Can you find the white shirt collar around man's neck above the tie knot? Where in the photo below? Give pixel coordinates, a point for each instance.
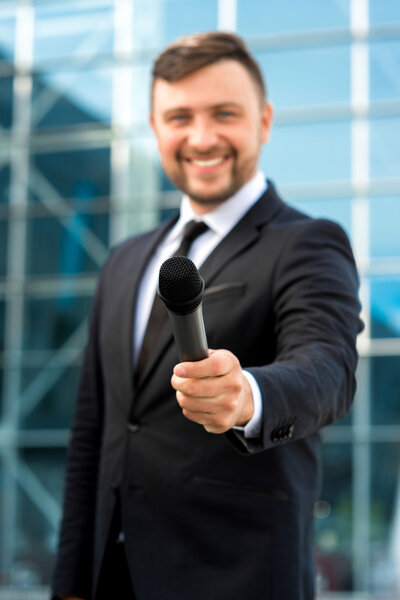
(226, 215)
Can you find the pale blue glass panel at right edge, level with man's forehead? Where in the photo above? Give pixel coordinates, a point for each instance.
(384, 69)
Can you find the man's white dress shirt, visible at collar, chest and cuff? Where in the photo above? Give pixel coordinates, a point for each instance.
(220, 222)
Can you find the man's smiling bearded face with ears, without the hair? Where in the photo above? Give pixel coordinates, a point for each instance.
(210, 127)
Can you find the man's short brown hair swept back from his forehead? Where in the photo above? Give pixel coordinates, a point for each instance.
(190, 53)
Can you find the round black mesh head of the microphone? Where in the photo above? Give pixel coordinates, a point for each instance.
(180, 285)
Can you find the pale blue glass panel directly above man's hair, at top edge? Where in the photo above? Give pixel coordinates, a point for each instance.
(158, 22)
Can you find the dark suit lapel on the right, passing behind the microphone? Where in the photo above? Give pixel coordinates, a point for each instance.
(242, 236)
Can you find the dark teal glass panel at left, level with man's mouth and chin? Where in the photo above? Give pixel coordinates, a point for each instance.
(80, 175)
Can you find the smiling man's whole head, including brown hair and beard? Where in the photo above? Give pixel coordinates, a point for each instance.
(210, 115)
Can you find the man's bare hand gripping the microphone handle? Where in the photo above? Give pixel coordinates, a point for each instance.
(214, 392)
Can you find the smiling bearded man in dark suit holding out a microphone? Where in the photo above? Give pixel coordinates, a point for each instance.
(197, 480)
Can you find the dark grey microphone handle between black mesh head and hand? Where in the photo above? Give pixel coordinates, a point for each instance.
(190, 335)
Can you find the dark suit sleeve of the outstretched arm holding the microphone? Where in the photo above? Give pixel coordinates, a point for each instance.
(311, 382)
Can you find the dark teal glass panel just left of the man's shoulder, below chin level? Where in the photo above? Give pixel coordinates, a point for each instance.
(72, 244)
